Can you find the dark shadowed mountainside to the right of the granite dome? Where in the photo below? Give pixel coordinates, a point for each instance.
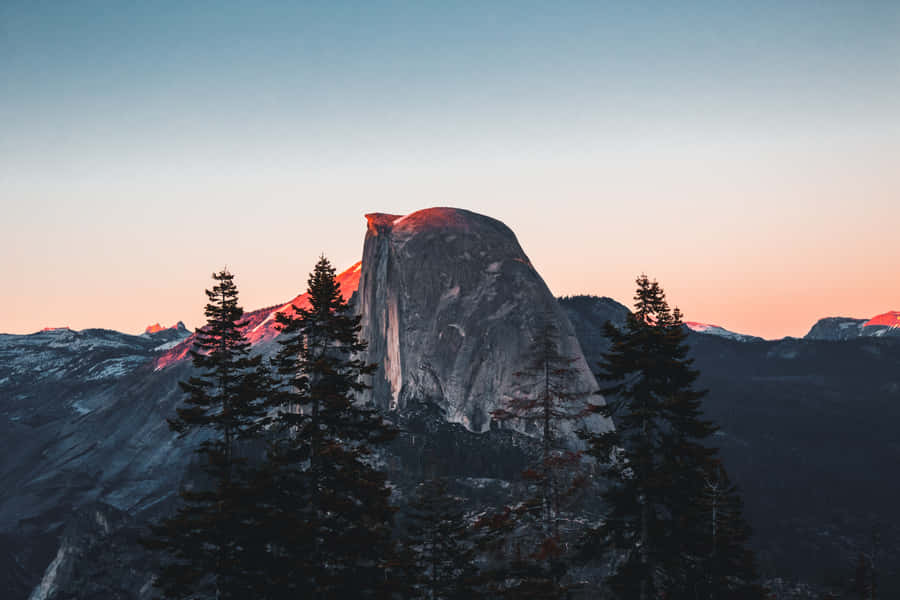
(807, 431)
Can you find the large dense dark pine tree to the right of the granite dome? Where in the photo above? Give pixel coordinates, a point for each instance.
(658, 464)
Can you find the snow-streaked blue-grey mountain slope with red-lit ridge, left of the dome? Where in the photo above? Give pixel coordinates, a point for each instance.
(83, 423)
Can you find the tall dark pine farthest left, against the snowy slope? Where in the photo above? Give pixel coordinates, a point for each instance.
(207, 541)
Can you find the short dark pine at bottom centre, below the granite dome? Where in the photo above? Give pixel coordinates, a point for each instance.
(439, 539)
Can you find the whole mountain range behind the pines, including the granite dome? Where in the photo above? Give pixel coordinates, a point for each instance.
(85, 420)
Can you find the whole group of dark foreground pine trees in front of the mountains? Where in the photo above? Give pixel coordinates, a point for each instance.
(295, 500)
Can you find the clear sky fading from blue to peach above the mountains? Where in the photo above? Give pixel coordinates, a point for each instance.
(745, 154)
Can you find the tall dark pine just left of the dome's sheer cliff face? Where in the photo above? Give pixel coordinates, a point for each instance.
(333, 517)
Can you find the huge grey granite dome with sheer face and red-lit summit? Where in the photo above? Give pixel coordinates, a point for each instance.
(450, 307)
